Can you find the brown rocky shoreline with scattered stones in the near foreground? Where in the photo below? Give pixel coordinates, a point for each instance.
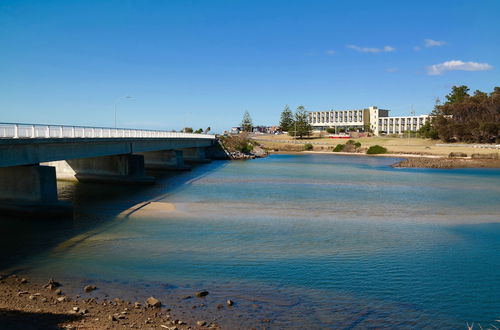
(30, 305)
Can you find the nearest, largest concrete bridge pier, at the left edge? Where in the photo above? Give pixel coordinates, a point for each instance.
(31, 189)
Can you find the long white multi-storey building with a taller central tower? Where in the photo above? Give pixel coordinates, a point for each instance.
(374, 119)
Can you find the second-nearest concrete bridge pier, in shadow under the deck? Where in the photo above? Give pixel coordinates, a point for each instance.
(119, 169)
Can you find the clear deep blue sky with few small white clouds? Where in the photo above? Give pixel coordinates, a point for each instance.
(203, 63)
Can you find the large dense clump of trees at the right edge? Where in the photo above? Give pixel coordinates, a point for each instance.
(465, 117)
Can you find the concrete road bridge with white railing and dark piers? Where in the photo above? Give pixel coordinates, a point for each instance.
(34, 156)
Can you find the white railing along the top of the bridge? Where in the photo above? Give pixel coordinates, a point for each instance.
(34, 131)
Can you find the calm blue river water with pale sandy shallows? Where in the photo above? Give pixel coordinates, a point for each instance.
(315, 241)
